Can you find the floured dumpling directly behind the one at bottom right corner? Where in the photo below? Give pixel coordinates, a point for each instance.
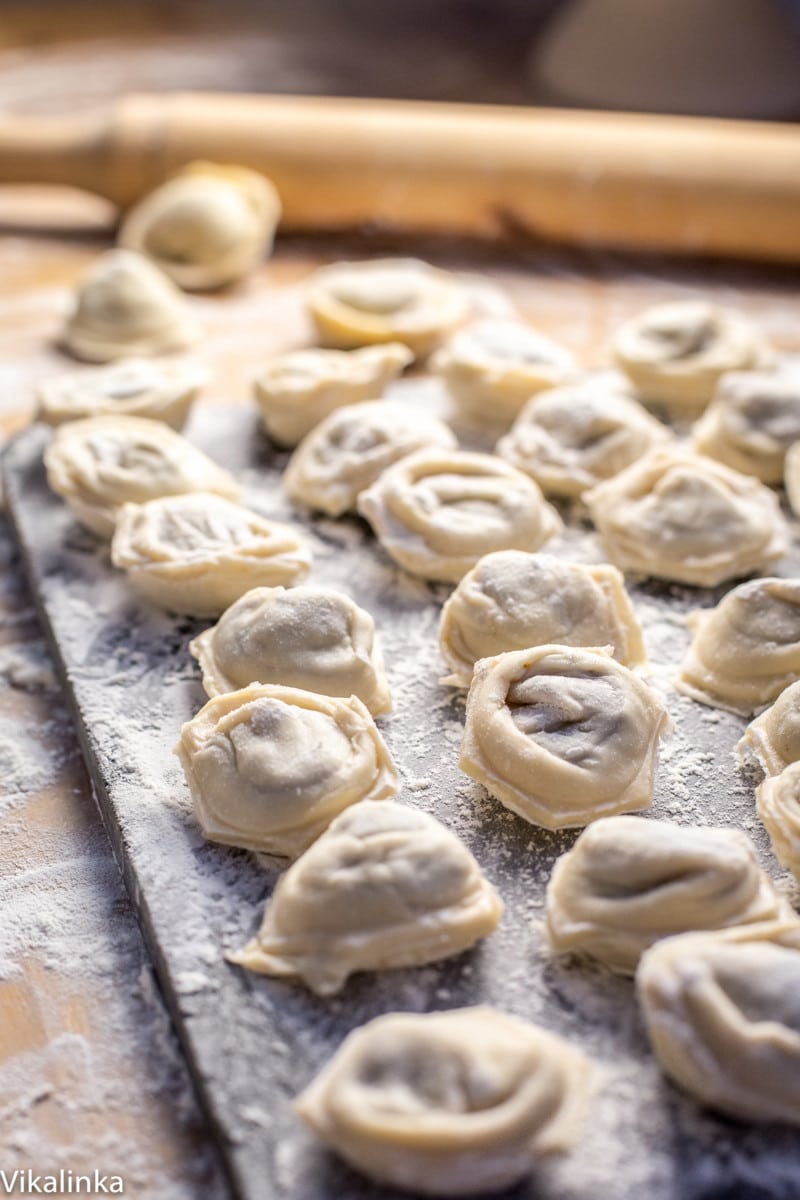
(630, 881)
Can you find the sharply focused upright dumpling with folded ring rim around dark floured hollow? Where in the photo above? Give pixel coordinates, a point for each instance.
(562, 736)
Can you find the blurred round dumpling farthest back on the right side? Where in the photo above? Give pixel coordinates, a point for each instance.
(676, 353)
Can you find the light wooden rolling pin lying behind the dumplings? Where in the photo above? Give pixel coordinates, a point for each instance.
(677, 185)
